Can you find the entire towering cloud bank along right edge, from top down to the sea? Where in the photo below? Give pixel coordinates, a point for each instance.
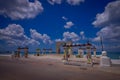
(109, 20)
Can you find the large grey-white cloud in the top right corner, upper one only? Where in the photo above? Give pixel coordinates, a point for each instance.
(111, 15)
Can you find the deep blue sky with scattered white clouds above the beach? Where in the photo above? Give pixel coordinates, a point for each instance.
(40, 23)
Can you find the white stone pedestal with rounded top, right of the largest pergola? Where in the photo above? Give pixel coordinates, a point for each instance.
(104, 60)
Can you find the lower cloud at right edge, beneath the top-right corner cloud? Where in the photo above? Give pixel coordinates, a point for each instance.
(109, 34)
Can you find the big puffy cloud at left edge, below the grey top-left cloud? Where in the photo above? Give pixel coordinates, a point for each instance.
(13, 34)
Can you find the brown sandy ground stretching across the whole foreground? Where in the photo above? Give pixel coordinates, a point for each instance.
(51, 67)
